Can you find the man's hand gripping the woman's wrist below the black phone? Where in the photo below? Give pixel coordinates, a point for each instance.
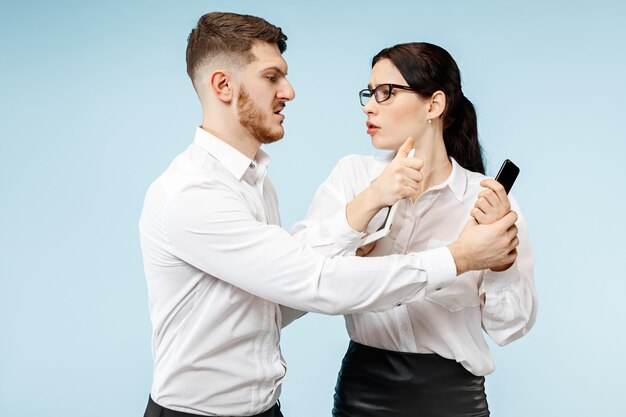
(486, 246)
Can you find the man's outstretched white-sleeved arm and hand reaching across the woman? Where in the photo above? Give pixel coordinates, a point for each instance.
(212, 228)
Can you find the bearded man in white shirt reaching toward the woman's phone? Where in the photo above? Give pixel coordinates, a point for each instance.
(217, 264)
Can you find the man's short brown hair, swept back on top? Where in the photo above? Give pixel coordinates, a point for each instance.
(229, 35)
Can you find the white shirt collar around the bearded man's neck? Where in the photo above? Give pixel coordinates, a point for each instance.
(233, 160)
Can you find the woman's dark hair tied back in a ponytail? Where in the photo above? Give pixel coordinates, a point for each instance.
(429, 68)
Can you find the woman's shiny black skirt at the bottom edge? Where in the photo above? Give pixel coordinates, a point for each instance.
(375, 382)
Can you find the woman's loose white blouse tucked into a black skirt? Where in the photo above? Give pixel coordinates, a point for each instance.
(448, 322)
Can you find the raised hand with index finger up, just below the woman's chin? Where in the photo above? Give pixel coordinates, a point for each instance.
(400, 179)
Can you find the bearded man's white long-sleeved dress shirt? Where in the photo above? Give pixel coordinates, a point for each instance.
(218, 265)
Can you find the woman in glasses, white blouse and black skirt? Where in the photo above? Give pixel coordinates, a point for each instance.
(427, 358)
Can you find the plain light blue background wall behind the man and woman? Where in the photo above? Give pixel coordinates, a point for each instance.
(95, 102)
